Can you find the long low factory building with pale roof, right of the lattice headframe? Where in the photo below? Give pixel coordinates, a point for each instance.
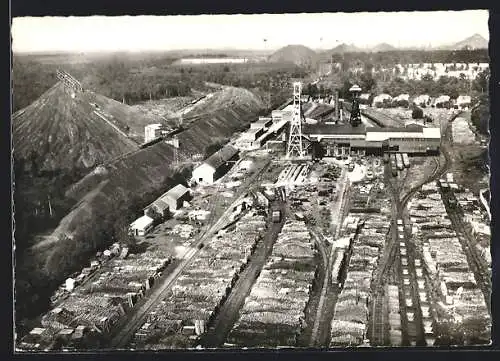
(339, 140)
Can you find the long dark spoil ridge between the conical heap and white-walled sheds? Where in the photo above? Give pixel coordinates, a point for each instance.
(147, 170)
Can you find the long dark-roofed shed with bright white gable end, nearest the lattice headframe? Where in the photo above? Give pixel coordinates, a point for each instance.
(216, 165)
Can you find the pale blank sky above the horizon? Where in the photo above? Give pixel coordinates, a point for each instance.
(317, 31)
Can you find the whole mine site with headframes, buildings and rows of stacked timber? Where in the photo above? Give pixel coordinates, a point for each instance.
(297, 233)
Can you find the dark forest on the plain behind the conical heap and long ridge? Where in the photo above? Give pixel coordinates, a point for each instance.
(133, 80)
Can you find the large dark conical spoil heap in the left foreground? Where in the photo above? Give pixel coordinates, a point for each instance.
(66, 132)
